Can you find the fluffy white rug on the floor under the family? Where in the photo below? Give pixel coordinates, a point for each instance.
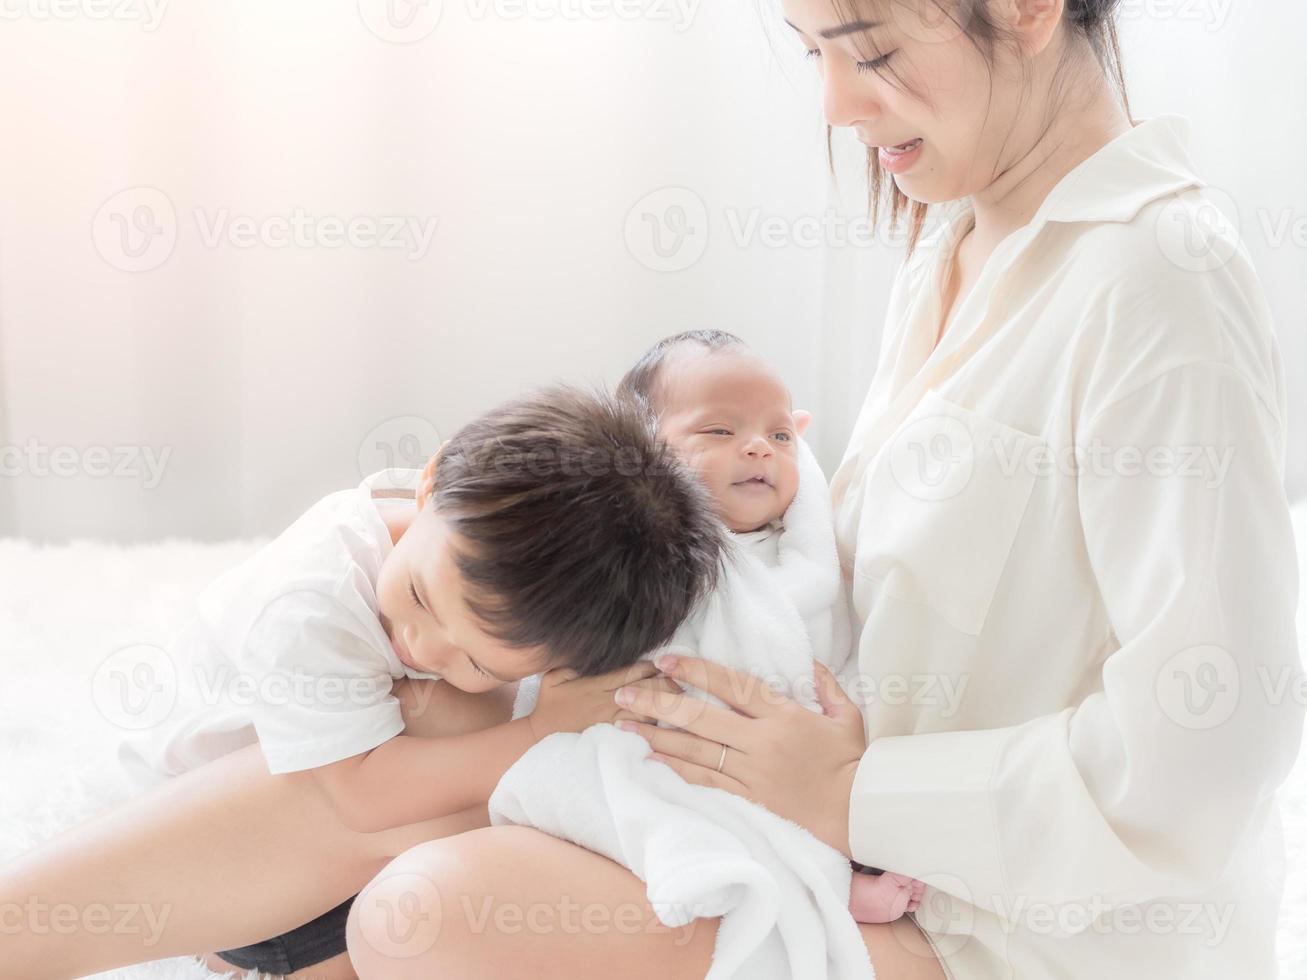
(65, 610)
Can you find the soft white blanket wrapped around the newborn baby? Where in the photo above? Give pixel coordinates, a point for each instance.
(782, 894)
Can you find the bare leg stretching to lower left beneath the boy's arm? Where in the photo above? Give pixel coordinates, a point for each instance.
(216, 859)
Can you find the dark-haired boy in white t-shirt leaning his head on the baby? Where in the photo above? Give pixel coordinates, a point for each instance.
(554, 534)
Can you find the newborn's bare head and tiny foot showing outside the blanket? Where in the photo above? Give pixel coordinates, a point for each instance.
(730, 416)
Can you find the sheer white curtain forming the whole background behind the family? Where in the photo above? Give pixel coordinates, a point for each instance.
(252, 252)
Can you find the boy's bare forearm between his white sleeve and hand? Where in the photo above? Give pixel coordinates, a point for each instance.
(408, 779)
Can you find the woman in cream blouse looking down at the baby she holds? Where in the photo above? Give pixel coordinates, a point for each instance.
(1068, 546)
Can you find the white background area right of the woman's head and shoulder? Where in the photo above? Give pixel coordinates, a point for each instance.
(1237, 70)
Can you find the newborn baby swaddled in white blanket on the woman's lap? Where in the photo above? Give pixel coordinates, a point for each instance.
(778, 606)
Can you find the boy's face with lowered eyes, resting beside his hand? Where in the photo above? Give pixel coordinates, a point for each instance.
(437, 633)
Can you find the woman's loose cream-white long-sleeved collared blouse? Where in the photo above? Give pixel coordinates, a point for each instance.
(1072, 568)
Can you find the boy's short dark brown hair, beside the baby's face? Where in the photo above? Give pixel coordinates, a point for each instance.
(578, 530)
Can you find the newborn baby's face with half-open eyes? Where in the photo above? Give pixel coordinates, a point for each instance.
(729, 416)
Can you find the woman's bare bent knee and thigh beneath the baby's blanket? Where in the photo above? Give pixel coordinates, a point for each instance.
(513, 902)
